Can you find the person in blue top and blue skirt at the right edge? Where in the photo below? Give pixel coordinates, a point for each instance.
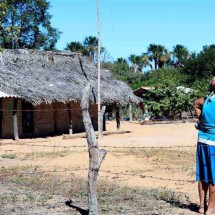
(205, 155)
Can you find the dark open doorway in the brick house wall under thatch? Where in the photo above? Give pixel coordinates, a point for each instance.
(27, 119)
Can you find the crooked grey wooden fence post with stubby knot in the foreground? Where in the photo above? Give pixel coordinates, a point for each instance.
(96, 155)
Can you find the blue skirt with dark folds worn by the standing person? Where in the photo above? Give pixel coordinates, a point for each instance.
(205, 163)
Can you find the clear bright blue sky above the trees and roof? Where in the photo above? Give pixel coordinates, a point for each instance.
(129, 26)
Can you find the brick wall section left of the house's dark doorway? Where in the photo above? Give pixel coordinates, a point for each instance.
(7, 117)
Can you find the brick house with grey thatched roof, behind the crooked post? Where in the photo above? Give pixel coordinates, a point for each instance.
(40, 92)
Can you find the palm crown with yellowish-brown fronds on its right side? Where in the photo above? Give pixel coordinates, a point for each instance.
(159, 54)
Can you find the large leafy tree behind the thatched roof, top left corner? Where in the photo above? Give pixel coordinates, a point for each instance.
(26, 24)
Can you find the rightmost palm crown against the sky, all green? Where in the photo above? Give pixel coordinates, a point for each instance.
(180, 54)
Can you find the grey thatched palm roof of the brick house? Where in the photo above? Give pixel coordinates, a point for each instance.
(39, 76)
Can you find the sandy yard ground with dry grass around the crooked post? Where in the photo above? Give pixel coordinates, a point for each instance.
(42, 191)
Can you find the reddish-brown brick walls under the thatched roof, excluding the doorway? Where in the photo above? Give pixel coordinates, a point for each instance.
(49, 119)
